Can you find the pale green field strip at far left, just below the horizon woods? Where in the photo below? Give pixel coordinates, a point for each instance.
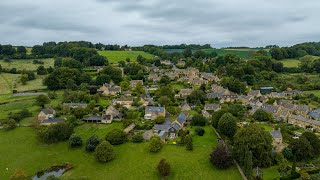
(26, 64)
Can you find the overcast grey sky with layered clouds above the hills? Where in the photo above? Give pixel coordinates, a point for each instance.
(221, 23)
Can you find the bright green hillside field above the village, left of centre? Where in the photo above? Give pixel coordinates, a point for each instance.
(116, 56)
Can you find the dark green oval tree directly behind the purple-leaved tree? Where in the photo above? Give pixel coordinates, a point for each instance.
(228, 125)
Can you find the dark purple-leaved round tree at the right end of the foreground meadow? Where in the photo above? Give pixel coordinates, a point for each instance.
(221, 157)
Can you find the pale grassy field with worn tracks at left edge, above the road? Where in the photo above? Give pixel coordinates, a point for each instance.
(8, 82)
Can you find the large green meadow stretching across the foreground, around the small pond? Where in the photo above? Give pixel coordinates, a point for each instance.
(20, 150)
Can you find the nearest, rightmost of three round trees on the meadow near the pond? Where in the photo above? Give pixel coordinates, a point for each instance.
(104, 152)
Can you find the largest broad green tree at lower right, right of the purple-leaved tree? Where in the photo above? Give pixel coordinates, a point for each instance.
(257, 140)
